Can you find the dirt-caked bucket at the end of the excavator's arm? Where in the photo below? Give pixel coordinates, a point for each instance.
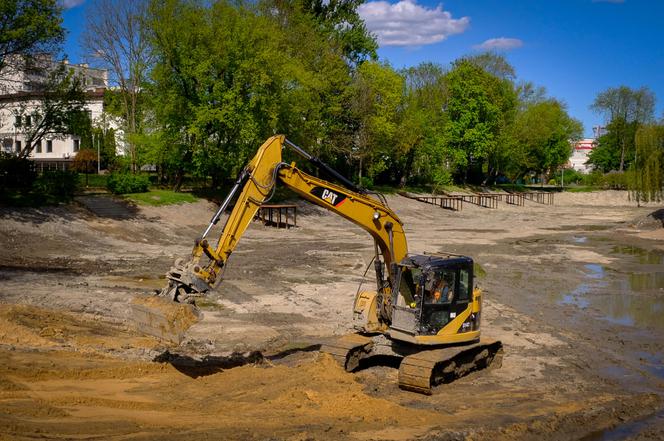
(163, 318)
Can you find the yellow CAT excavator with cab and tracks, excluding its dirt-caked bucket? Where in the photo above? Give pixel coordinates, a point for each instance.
(425, 312)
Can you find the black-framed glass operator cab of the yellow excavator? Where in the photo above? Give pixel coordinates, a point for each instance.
(436, 303)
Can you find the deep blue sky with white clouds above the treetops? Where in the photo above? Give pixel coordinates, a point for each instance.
(574, 48)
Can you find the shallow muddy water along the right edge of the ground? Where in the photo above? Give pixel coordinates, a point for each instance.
(629, 291)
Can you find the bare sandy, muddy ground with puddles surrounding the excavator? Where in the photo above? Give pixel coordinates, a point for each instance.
(573, 290)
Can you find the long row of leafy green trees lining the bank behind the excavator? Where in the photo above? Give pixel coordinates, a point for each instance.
(227, 75)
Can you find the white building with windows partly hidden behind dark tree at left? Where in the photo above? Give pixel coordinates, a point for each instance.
(21, 88)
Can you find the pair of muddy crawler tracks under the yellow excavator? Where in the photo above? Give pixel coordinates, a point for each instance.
(420, 369)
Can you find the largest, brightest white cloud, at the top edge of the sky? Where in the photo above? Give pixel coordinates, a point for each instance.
(408, 24)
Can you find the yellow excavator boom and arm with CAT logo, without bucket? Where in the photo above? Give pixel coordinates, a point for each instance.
(257, 182)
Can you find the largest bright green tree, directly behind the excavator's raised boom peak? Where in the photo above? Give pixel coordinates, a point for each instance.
(219, 89)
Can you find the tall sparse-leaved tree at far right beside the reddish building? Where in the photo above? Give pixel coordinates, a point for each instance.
(625, 109)
